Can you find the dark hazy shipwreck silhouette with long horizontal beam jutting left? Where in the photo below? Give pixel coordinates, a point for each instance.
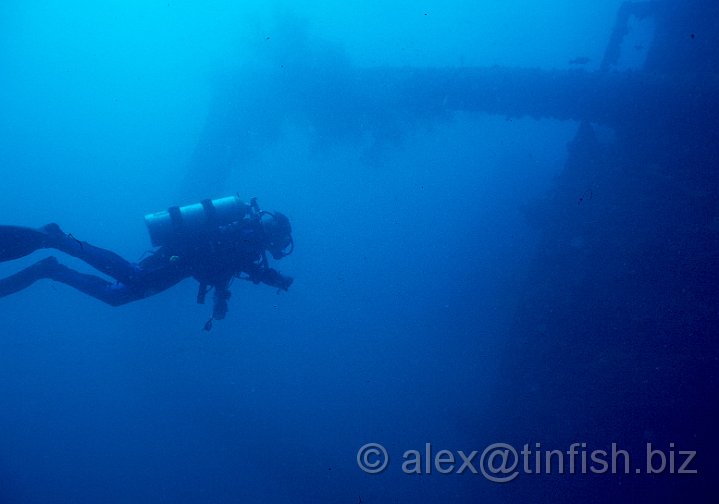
(615, 338)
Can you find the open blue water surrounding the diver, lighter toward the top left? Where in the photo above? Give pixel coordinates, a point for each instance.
(413, 245)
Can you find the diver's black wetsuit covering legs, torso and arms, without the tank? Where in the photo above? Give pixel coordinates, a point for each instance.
(213, 258)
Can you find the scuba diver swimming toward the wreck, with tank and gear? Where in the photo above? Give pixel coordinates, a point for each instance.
(213, 241)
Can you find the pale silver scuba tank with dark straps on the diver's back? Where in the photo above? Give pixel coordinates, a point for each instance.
(191, 221)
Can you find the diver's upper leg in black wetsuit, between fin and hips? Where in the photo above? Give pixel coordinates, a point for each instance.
(103, 260)
